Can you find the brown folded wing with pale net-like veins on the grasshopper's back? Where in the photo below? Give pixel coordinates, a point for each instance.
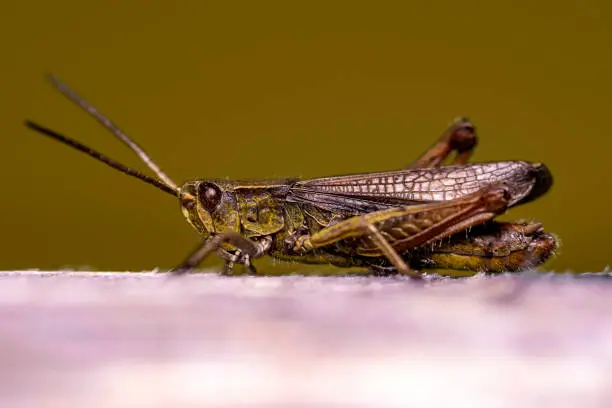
(363, 193)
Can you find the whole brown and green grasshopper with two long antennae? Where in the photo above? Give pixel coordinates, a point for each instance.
(429, 215)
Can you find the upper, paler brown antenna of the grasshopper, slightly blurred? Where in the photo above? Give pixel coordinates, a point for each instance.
(108, 124)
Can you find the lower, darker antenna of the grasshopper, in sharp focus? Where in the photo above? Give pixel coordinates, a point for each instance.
(104, 159)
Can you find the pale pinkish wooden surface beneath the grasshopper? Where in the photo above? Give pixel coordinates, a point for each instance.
(143, 340)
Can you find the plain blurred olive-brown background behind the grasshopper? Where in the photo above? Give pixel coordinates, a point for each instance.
(273, 89)
